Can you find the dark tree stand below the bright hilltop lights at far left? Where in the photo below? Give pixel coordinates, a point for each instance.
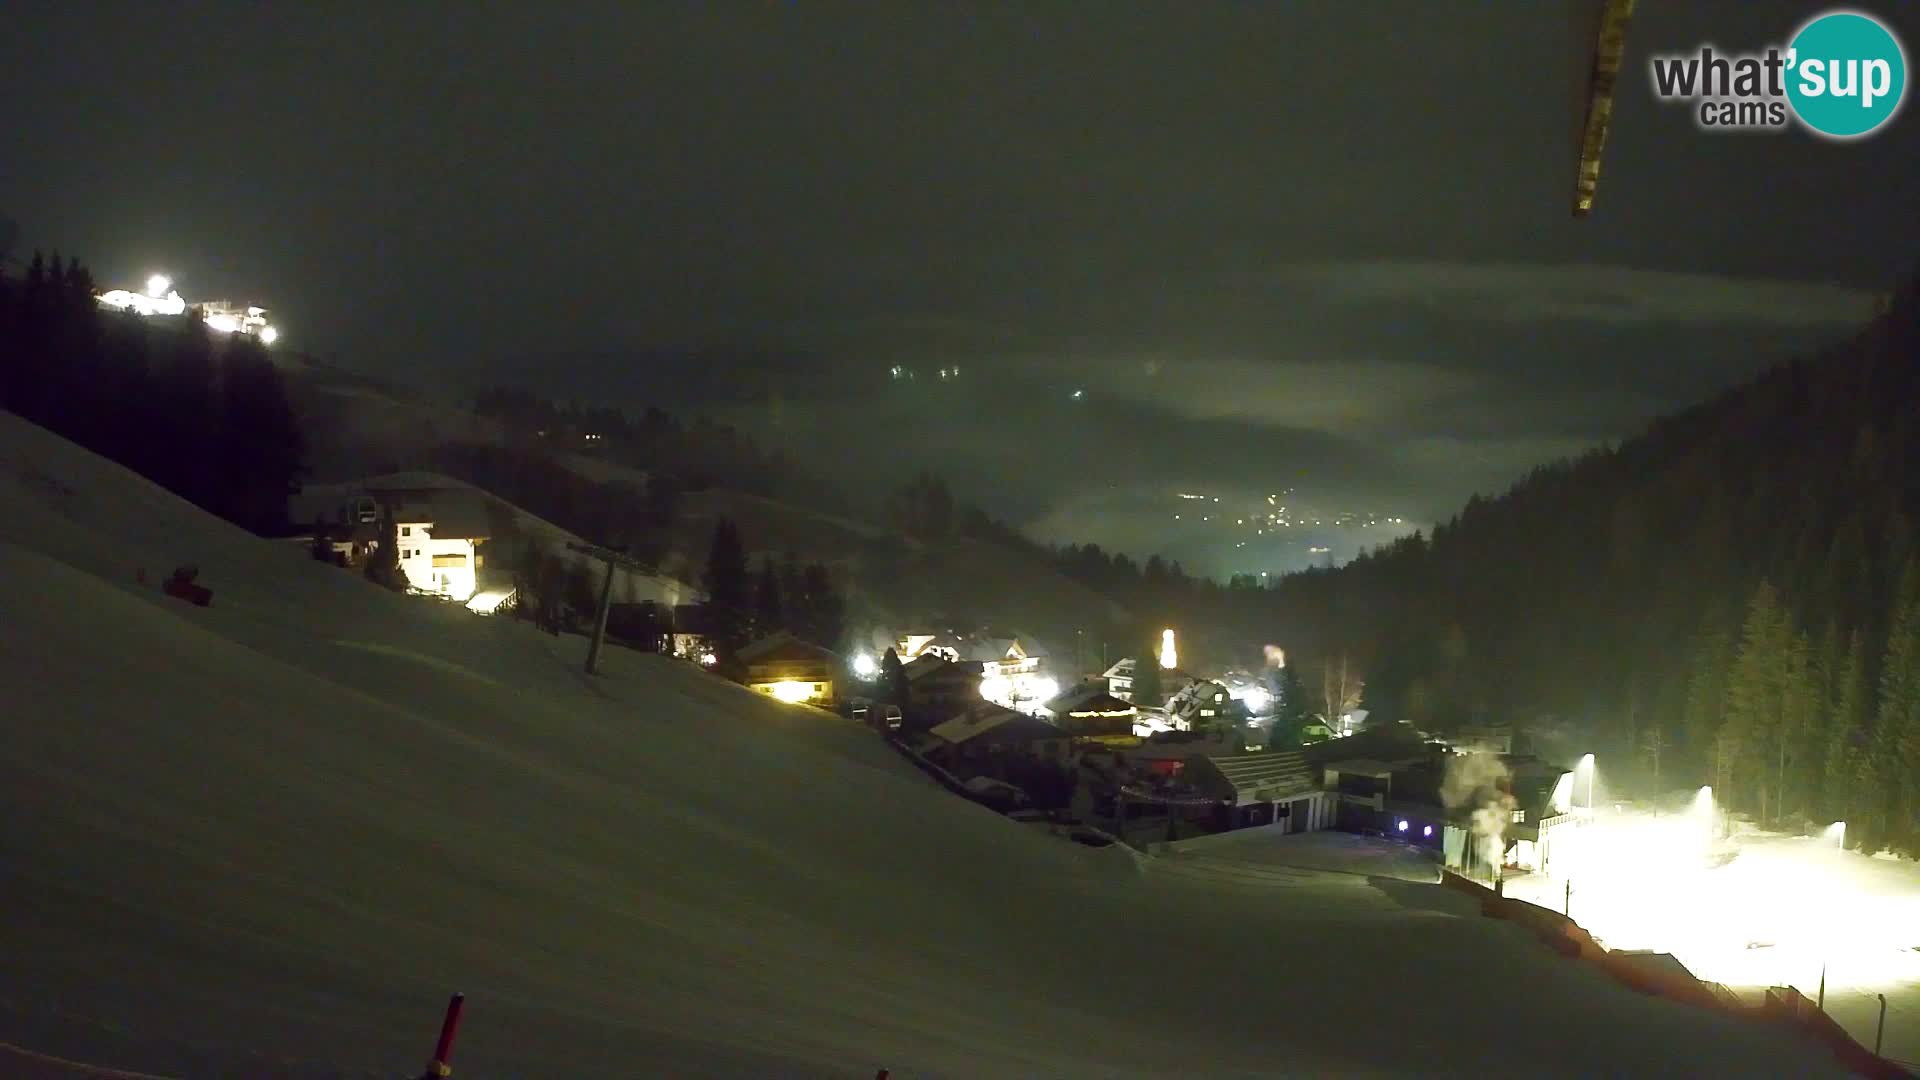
(204, 416)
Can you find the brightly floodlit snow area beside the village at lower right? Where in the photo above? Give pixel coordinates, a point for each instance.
(1746, 908)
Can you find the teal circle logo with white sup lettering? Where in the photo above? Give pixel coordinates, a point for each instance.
(1846, 74)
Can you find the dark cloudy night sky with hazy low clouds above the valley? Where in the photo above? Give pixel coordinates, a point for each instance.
(1318, 247)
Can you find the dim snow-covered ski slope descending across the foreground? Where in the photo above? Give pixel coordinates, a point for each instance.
(270, 837)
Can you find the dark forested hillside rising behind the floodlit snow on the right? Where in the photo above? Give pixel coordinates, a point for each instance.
(1727, 599)
